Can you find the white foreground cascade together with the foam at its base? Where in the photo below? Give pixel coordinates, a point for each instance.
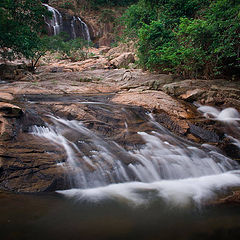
(165, 166)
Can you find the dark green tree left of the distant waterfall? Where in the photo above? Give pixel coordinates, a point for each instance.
(21, 25)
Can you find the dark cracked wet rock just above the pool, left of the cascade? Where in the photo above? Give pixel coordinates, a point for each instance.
(28, 165)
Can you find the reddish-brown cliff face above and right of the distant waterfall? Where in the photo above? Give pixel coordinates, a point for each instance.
(102, 22)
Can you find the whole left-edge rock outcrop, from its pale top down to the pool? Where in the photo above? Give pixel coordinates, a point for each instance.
(26, 164)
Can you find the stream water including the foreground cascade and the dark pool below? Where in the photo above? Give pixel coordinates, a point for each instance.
(128, 178)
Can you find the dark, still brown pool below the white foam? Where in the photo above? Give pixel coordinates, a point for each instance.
(53, 216)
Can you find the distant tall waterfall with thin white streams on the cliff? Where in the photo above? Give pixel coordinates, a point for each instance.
(72, 25)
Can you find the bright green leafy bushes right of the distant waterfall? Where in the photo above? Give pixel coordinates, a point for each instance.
(189, 37)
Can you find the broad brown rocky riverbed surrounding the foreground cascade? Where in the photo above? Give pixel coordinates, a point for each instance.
(28, 164)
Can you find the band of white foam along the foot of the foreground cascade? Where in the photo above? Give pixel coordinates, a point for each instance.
(177, 192)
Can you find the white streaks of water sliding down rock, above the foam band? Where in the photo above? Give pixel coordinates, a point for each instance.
(161, 157)
